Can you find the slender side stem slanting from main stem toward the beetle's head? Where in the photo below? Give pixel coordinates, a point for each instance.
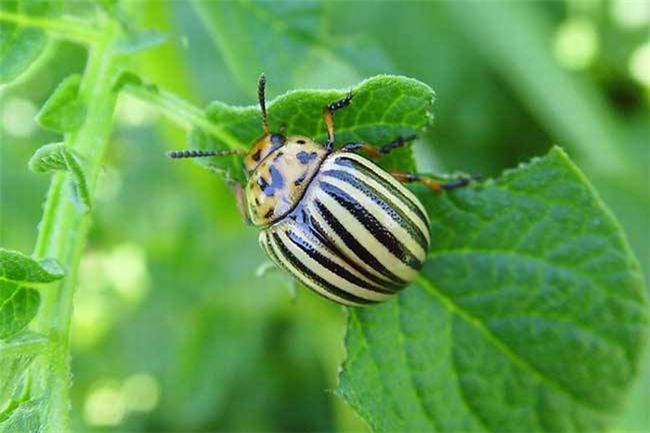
(182, 112)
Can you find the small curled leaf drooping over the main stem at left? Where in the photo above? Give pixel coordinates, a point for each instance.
(57, 156)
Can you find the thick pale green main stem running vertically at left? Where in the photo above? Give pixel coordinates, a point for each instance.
(64, 228)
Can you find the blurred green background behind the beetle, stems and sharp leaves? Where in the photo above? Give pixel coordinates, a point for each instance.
(173, 328)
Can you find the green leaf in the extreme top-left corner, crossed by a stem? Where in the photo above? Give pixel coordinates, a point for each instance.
(21, 46)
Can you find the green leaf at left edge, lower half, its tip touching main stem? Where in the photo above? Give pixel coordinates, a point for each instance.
(18, 299)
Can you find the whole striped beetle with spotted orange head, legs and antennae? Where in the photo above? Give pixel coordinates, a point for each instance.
(340, 224)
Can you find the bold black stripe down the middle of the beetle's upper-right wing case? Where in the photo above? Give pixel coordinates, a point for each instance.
(371, 224)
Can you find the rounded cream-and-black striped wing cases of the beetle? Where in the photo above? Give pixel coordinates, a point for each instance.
(357, 237)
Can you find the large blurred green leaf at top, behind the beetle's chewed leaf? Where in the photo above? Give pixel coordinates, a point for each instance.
(297, 42)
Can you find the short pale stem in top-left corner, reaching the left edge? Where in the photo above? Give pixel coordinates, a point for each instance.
(63, 27)
